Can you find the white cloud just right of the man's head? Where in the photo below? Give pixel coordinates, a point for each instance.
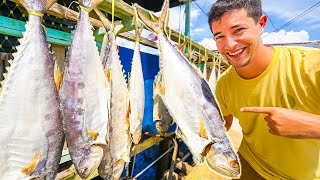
(285, 37)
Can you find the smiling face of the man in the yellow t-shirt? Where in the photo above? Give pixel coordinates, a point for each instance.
(237, 37)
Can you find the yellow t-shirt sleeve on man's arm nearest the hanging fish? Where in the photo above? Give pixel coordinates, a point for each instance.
(220, 96)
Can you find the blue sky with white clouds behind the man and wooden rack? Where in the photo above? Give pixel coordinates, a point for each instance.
(301, 17)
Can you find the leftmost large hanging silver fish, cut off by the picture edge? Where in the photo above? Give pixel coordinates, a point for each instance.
(30, 120)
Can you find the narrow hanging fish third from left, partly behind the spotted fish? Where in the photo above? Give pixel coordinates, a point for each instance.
(119, 145)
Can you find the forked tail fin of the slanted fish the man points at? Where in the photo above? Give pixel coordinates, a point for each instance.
(154, 26)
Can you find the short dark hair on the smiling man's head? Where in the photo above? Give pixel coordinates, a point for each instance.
(219, 8)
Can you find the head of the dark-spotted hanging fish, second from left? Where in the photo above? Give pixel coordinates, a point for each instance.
(92, 157)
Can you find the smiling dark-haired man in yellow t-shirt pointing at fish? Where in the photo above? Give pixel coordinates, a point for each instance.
(273, 91)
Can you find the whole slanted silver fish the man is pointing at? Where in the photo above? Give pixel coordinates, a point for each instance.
(193, 107)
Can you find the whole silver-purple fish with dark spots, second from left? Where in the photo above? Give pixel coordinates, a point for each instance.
(83, 97)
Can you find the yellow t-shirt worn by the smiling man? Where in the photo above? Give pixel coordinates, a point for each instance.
(292, 80)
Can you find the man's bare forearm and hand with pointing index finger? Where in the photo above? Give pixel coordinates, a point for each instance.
(289, 123)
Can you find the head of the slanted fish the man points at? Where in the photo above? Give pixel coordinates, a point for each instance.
(223, 160)
